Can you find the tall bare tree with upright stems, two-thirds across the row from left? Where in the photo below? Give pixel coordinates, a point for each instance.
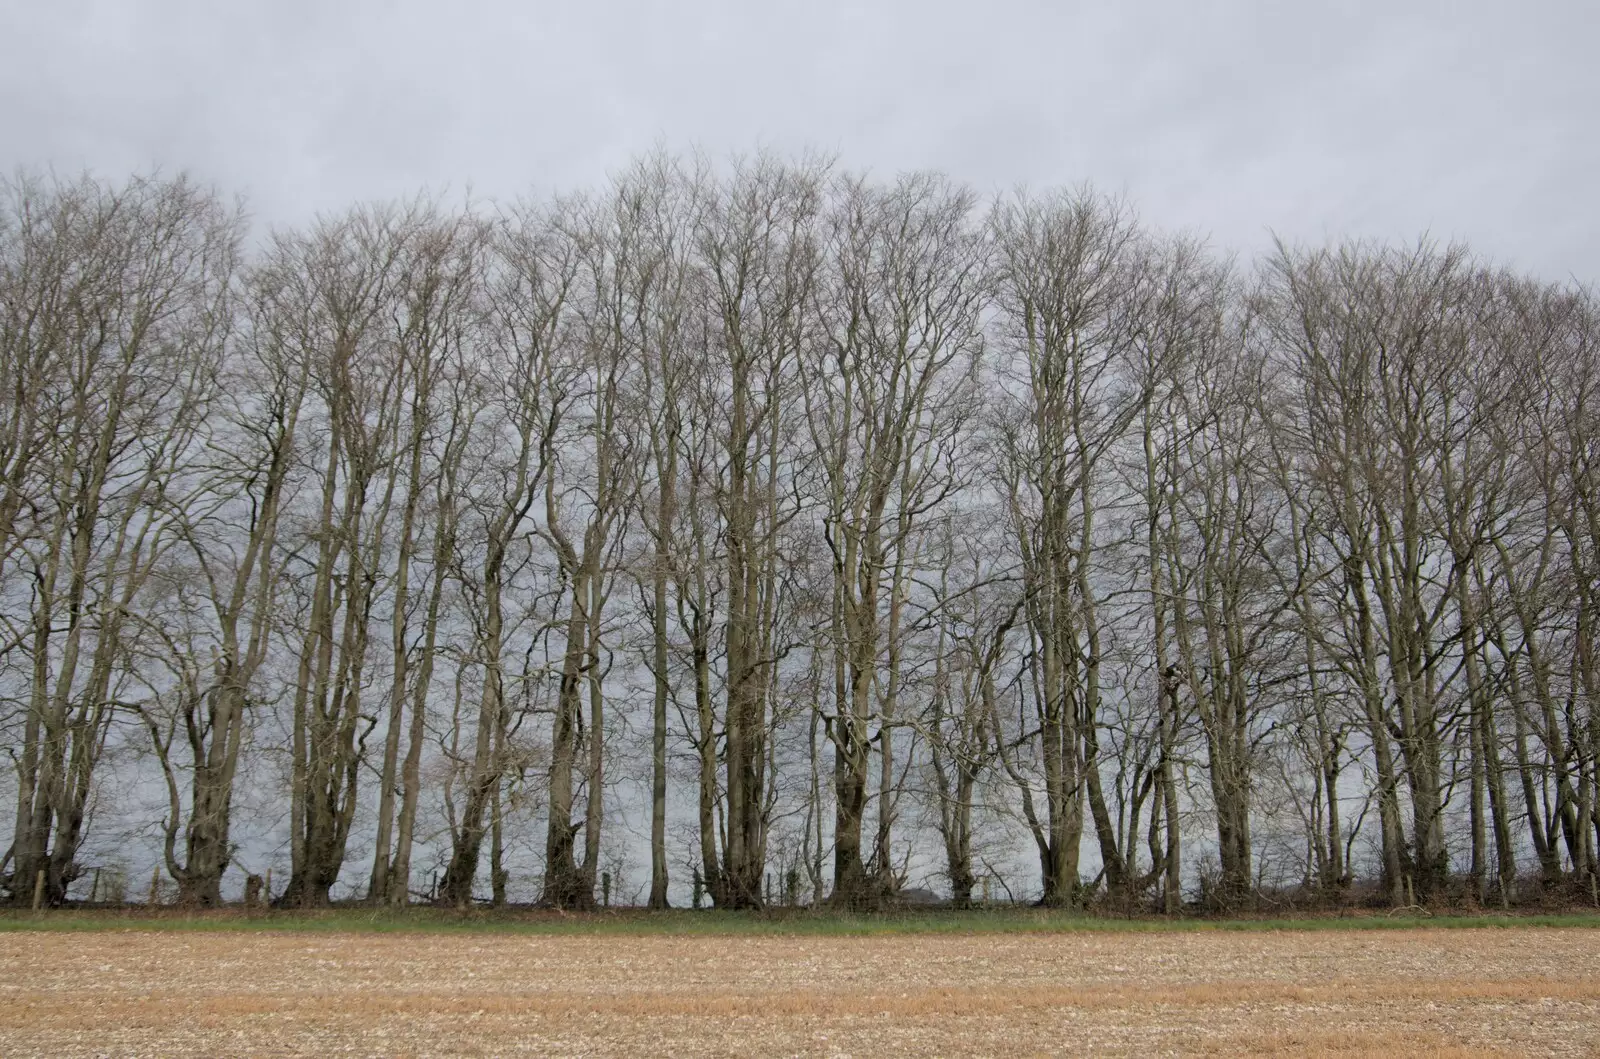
(1063, 406)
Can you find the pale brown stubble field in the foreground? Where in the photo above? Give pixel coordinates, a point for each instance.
(1460, 993)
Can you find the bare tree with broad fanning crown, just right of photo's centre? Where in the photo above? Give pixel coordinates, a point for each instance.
(889, 394)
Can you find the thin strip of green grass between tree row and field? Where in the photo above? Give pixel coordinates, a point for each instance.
(737, 924)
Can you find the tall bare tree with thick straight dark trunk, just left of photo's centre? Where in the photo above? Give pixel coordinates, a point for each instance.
(759, 249)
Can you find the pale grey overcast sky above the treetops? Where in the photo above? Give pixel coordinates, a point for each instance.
(1468, 119)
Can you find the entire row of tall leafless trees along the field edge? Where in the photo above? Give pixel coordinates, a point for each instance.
(847, 521)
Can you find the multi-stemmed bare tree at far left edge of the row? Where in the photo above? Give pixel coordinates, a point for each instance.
(121, 354)
